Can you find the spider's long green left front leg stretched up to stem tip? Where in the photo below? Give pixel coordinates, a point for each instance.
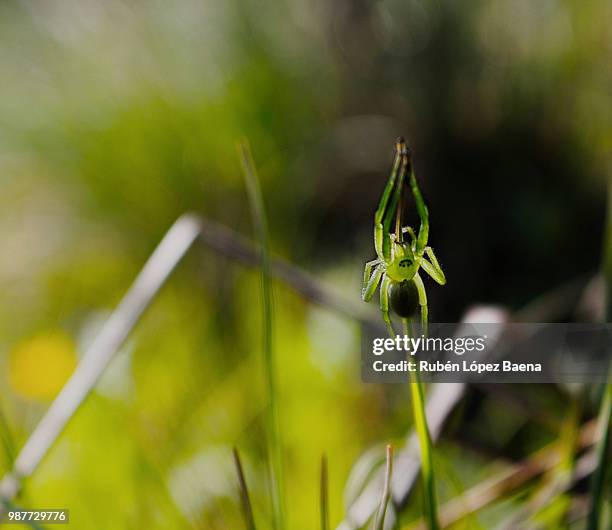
(389, 200)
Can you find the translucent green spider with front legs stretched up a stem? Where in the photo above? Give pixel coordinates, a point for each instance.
(398, 261)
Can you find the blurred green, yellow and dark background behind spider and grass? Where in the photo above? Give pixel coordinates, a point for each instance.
(117, 117)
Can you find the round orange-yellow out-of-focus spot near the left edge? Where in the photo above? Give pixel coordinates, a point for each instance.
(39, 366)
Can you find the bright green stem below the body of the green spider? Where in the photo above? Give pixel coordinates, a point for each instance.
(420, 422)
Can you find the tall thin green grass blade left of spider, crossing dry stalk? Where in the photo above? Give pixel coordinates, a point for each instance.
(272, 421)
